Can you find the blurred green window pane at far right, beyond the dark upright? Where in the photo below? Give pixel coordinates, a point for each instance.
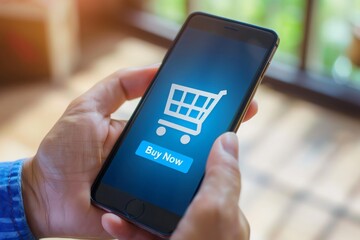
(335, 41)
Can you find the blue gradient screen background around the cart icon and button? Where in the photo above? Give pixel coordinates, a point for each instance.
(201, 60)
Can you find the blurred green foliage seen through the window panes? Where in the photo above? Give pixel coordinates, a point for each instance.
(331, 28)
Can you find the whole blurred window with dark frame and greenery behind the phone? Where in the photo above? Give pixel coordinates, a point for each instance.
(318, 38)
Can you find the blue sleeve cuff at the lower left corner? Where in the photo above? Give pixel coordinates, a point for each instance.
(13, 224)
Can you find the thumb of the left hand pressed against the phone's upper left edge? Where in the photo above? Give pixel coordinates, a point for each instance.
(120, 86)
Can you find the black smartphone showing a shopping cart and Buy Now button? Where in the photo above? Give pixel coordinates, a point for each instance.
(201, 90)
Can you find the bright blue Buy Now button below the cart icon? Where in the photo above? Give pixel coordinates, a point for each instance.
(164, 156)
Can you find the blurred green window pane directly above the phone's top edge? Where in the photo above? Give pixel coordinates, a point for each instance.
(284, 16)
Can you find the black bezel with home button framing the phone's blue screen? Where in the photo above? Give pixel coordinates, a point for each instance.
(165, 223)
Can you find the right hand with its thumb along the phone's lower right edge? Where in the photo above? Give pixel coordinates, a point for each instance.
(209, 217)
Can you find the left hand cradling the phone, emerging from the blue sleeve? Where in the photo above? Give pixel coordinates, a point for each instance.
(56, 181)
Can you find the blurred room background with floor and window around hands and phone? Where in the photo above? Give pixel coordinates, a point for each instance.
(300, 156)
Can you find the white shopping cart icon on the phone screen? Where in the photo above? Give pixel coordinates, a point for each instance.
(186, 109)
